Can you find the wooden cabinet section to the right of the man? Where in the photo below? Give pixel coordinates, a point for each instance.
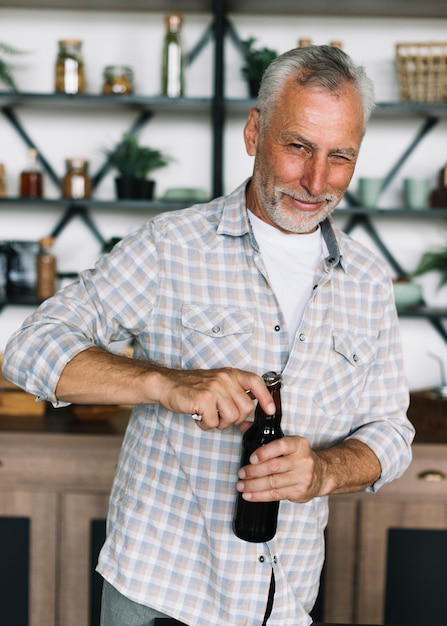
(359, 535)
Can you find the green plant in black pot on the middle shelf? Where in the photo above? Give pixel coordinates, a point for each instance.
(134, 163)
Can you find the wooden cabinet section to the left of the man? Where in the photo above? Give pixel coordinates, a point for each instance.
(56, 473)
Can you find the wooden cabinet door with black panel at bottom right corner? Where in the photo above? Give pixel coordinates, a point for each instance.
(376, 519)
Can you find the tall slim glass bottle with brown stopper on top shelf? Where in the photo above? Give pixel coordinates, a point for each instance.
(172, 79)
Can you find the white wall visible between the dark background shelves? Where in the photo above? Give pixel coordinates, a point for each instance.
(136, 39)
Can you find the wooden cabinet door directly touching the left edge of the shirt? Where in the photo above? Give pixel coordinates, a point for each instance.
(79, 514)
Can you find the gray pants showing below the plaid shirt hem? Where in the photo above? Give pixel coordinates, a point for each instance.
(117, 610)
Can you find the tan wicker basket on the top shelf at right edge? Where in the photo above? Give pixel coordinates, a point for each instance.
(422, 71)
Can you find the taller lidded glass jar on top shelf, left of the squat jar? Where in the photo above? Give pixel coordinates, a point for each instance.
(70, 70)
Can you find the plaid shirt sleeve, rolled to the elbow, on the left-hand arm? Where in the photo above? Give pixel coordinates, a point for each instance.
(107, 304)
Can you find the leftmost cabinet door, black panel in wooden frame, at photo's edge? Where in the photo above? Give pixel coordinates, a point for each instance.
(31, 516)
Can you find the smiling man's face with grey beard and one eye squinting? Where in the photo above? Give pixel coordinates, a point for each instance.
(306, 157)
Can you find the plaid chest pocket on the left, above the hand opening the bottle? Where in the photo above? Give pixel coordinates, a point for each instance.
(216, 337)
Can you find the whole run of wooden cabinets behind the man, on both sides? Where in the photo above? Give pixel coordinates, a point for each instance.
(57, 472)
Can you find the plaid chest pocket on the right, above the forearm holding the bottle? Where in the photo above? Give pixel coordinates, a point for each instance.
(349, 362)
